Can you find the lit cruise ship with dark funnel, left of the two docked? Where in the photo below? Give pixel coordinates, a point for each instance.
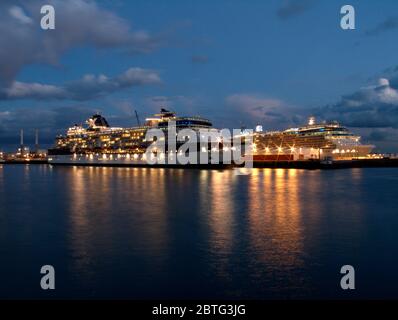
(98, 143)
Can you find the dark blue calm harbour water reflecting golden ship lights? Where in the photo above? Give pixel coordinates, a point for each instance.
(171, 233)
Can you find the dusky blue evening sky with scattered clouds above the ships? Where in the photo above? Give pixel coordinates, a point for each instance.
(236, 62)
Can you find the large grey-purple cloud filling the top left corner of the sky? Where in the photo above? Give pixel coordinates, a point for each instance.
(78, 23)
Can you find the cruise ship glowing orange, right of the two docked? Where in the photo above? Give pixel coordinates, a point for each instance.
(314, 141)
